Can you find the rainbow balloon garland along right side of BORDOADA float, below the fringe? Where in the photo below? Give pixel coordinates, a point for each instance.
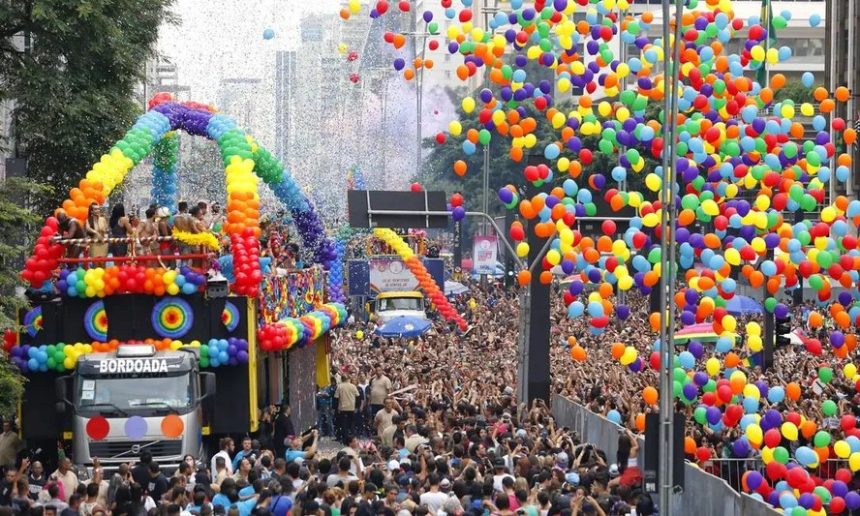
(289, 332)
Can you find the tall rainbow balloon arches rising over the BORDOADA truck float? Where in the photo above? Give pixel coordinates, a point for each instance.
(245, 161)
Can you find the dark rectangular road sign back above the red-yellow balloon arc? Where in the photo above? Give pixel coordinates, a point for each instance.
(367, 209)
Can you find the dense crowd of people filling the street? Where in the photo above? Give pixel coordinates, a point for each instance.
(432, 426)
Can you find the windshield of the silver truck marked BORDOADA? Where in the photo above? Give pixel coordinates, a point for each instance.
(135, 395)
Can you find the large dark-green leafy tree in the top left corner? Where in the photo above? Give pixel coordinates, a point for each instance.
(72, 86)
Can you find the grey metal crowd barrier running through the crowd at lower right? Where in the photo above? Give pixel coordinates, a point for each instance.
(703, 495)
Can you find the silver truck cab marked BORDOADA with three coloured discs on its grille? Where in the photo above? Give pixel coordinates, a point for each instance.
(138, 399)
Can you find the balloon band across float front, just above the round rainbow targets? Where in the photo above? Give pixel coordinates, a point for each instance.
(129, 279)
